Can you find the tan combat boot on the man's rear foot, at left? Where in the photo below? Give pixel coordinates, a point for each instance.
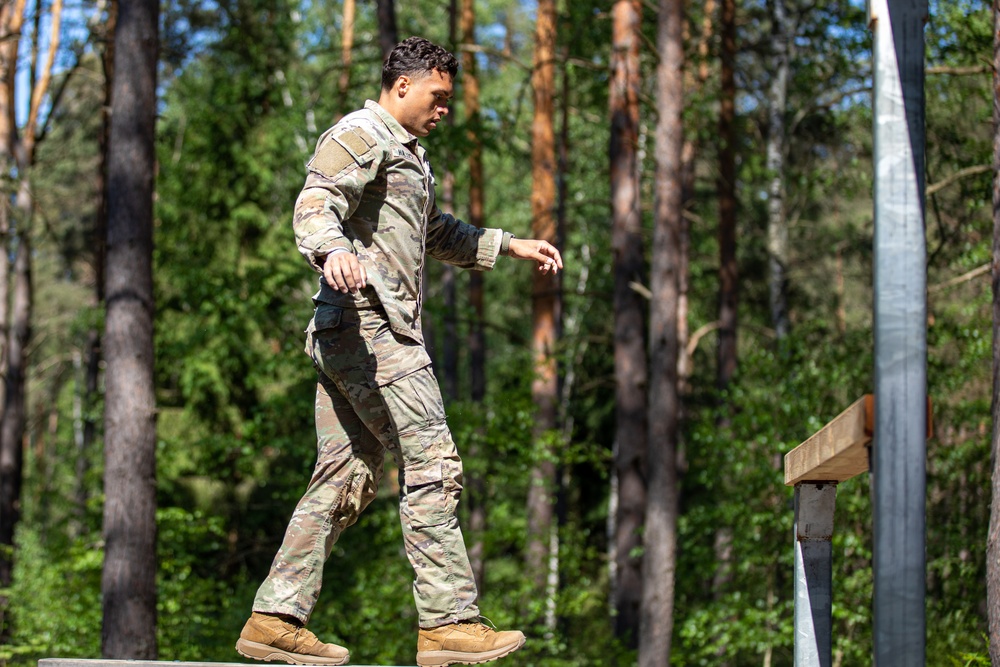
(269, 638)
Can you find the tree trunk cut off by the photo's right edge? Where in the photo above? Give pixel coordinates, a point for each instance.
(993, 535)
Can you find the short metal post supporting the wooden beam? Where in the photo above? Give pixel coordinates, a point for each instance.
(814, 506)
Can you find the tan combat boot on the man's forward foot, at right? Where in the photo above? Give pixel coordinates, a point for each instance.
(468, 643)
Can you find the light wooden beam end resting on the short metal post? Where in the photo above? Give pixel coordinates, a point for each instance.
(836, 452)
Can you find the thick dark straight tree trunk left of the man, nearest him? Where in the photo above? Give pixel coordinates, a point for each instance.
(128, 585)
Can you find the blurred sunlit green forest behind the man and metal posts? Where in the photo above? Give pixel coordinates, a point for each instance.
(775, 320)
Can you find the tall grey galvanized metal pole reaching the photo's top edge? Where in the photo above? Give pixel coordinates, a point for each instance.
(898, 460)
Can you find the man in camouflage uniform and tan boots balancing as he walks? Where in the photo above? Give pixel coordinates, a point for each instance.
(365, 221)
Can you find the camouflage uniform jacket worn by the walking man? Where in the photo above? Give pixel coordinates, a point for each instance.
(370, 190)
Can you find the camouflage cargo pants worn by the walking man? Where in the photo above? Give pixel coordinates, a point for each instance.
(376, 393)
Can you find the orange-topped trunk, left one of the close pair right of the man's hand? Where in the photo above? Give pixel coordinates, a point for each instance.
(630, 350)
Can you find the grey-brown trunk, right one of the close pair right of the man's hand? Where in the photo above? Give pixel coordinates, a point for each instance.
(660, 536)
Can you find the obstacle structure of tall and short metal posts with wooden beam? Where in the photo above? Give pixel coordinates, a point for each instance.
(898, 429)
